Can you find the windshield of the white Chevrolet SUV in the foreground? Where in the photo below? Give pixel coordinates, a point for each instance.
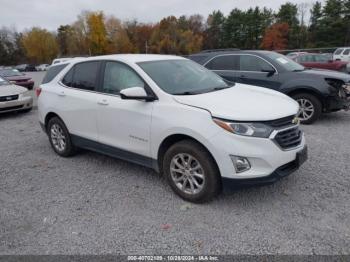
(182, 77)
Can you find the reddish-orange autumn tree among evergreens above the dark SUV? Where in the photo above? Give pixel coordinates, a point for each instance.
(276, 37)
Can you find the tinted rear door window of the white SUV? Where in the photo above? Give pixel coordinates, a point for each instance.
(83, 76)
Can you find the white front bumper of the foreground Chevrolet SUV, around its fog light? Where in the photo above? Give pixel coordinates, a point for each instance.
(264, 154)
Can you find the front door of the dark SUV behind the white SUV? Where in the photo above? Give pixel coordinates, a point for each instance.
(253, 71)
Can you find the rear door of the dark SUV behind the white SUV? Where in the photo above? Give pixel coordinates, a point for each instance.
(224, 65)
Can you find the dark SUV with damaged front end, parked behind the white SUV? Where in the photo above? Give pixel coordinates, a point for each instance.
(316, 91)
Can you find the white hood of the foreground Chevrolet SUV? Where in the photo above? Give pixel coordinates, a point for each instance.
(243, 103)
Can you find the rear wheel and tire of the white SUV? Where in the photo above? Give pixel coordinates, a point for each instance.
(56, 126)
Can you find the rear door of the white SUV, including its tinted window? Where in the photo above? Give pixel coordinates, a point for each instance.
(79, 100)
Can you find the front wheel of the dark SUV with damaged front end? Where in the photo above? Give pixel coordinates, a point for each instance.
(309, 101)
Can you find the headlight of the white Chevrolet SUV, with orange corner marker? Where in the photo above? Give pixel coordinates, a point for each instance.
(245, 129)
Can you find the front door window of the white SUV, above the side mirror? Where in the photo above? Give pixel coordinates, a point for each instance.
(118, 76)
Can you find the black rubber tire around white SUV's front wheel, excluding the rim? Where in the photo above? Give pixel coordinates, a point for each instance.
(211, 173)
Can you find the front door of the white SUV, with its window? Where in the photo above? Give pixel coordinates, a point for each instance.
(124, 125)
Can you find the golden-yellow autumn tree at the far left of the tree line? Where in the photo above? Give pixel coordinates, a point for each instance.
(40, 46)
